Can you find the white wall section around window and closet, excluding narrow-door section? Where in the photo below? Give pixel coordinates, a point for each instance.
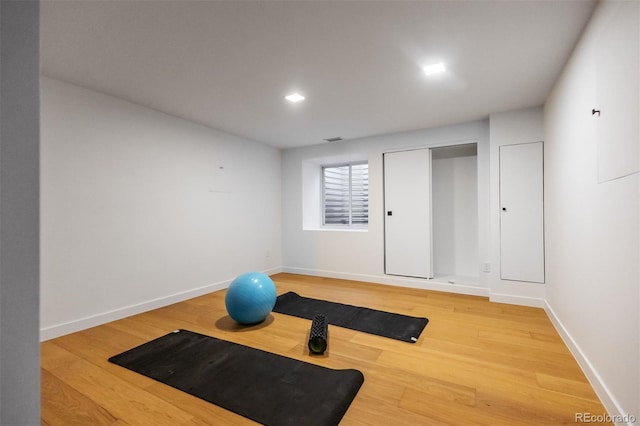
(360, 255)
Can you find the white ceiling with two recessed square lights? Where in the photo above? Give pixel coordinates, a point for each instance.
(228, 64)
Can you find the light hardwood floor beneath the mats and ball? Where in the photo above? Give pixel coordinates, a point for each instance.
(476, 362)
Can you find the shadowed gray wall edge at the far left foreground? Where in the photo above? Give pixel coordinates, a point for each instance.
(19, 211)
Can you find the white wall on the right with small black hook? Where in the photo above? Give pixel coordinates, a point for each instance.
(592, 229)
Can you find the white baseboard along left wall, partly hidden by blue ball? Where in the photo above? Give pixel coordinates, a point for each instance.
(57, 330)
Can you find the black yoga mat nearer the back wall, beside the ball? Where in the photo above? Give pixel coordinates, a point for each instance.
(386, 324)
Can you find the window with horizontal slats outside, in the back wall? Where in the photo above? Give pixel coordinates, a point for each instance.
(345, 194)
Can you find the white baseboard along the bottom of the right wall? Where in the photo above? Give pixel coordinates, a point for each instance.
(606, 397)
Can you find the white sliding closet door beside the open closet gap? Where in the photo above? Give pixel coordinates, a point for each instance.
(407, 201)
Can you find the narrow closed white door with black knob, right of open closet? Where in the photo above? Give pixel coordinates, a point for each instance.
(521, 213)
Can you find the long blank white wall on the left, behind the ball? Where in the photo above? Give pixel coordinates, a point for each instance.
(137, 211)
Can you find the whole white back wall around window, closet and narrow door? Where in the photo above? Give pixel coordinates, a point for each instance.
(360, 255)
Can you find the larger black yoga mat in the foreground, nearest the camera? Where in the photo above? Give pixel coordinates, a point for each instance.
(265, 387)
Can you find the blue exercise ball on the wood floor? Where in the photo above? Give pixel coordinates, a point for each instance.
(250, 298)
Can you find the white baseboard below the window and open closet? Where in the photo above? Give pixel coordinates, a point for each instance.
(421, 283)
